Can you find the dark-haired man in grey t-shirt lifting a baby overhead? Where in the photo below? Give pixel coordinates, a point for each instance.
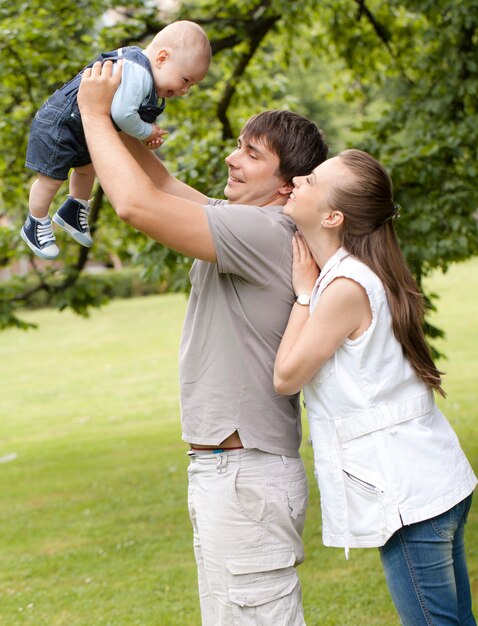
(247, 485)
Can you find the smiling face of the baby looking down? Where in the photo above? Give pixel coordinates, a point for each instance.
(175, 75)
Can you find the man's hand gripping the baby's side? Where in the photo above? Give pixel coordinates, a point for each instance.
(98, 87)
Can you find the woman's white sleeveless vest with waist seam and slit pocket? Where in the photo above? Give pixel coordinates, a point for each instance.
(385, 456)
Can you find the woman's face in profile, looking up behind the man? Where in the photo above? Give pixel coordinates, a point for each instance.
(308, 202)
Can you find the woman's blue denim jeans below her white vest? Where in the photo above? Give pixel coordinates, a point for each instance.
(426, 571)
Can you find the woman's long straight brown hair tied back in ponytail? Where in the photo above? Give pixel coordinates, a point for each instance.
(366, 201)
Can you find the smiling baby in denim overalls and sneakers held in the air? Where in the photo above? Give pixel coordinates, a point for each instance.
(177, 58)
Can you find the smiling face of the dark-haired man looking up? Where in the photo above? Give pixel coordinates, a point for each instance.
(253, 175)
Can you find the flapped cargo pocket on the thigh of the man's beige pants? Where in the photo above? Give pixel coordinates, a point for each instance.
(265, 589)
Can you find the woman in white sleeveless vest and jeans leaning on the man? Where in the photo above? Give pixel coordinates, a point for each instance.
(390, 468)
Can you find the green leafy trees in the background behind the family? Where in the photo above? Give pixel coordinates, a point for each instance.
(401, 78)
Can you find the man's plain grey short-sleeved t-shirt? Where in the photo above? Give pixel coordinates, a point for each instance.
(237, 312)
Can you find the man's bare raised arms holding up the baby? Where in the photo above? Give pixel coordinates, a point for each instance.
(127, 178)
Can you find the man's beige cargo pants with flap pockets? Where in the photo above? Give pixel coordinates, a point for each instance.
(247, 509)
